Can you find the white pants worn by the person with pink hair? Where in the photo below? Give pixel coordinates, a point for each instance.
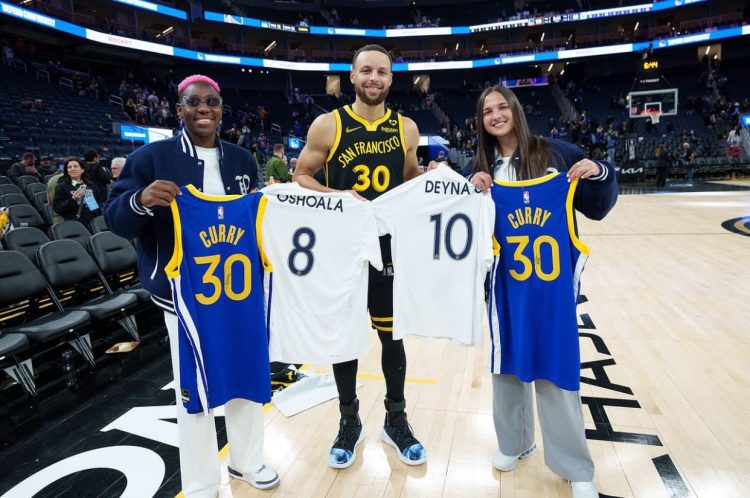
(200, 468)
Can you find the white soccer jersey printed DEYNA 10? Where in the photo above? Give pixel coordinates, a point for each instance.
(441, 230)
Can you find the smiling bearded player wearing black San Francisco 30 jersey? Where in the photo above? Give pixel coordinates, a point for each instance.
(367, 150)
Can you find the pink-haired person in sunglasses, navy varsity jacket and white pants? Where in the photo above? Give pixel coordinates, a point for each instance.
(138, 208)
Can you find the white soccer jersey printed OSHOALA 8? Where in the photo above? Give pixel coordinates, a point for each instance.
(319, 246)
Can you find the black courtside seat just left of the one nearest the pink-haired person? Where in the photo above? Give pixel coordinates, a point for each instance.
(68, 267)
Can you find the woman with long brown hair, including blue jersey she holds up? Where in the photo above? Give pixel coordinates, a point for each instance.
(525, 349)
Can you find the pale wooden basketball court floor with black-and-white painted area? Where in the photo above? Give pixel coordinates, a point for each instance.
(665, 385)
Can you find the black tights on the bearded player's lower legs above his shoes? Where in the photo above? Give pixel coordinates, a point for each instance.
(393, 361)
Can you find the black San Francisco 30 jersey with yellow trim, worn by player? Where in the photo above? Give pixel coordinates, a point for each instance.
(366, 156)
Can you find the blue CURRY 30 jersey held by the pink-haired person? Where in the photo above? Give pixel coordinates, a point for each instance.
(217, 288)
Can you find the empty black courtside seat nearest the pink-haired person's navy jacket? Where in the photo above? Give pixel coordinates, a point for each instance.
(117, 260)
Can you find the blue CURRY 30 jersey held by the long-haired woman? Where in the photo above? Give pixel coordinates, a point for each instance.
(535, 281)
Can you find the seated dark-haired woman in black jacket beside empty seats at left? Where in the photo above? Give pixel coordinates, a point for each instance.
(74, 197)
